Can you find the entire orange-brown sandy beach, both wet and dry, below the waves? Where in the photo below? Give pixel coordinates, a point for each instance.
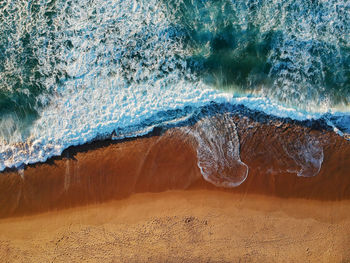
(146, 200)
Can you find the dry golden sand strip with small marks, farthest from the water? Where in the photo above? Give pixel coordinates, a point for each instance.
(183, 226)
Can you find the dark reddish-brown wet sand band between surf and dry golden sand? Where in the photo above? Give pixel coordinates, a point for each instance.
(107, 170)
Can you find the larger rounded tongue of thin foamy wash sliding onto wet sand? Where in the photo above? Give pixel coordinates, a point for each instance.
(218, 151)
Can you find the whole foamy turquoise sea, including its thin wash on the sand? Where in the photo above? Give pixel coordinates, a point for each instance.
(72, 71)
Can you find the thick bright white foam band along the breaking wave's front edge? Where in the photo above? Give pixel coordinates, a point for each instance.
(81, 117)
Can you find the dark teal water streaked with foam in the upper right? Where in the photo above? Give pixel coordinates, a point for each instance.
(297, 52)
